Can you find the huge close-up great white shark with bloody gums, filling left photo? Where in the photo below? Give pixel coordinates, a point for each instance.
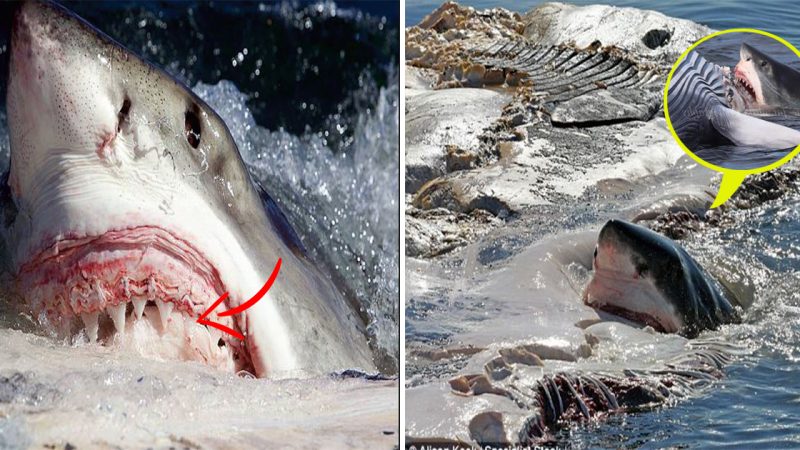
(129, 211)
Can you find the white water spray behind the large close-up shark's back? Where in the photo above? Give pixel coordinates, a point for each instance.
(343, 204)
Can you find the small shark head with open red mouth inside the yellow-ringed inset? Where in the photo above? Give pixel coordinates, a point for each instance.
(764, 81)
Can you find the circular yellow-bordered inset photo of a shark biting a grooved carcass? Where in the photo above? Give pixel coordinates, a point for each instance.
(733, 100)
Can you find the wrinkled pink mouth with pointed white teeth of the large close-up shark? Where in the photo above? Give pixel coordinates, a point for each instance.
(141, 287)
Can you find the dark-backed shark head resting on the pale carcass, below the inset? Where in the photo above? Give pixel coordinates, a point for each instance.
(647, 278)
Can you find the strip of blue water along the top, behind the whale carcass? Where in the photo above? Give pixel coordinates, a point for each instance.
(778, 17)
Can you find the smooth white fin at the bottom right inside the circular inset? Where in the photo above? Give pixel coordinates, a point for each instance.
(742, 129)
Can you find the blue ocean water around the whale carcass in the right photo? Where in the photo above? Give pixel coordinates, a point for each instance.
(757, 404)
